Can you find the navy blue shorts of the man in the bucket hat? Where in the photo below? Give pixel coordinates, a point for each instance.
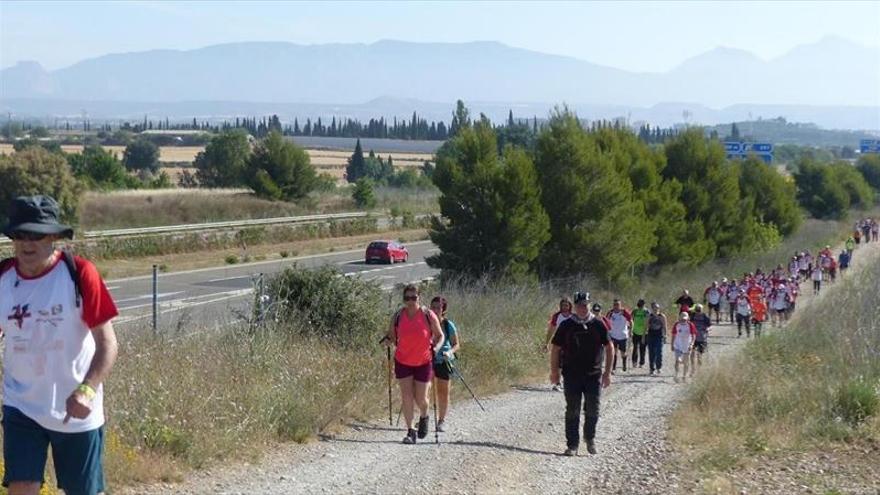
(77, 456)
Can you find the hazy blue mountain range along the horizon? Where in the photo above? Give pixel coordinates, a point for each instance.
(833, 76)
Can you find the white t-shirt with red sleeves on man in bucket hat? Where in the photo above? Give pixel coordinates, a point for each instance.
(49, 344)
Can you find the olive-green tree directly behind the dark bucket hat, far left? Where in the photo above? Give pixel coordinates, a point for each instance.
(37, 171)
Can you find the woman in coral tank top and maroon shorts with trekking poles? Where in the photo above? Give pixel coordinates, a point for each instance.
(415, 331)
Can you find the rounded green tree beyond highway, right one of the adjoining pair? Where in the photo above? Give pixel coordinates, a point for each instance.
(278, 169)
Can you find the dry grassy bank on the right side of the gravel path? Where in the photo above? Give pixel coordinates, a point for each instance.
(812, 389)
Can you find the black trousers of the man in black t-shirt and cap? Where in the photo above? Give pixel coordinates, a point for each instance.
(579, 390)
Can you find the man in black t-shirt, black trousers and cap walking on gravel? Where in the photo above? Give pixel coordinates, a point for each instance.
(583, 340)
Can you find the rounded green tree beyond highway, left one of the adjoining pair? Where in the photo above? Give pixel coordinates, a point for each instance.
(224, 160)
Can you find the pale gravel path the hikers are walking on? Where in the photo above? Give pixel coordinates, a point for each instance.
(513, 448)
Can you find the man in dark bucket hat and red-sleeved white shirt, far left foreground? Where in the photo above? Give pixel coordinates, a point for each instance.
(60, 348)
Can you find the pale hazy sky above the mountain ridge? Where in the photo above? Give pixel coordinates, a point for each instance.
(638, 36)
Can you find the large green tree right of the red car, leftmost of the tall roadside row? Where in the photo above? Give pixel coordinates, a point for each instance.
(492, 221)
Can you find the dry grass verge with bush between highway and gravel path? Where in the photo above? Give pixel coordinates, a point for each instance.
(245, 387)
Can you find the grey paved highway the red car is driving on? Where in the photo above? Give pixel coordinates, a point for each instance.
(216, 296)
